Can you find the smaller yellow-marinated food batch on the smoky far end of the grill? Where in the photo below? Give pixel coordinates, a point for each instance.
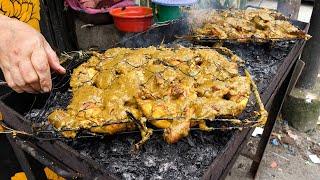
(245, 25)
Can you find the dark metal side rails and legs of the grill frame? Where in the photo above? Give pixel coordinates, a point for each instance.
(70, 164)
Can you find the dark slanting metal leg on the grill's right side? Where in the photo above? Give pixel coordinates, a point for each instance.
(278, 100)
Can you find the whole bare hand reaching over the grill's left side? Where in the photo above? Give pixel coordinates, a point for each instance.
(26, 57)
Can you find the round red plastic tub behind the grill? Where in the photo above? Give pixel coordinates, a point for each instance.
(132, 19)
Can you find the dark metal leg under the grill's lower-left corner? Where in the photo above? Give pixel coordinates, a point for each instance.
(31, 168)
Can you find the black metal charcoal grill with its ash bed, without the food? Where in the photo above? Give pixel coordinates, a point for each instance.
(272, 66)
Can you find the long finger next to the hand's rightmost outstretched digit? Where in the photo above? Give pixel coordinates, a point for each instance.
(40, 64)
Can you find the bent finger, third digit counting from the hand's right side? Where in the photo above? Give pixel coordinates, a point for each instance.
(29, 75)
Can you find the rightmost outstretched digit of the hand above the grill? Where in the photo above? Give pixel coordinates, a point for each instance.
(53, 59)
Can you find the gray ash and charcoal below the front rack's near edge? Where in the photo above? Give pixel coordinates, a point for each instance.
(188, 159)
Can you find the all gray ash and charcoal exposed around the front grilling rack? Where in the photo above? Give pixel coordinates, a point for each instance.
(189, 158)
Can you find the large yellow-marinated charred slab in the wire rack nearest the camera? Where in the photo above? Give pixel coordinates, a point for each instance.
(126, 89)
